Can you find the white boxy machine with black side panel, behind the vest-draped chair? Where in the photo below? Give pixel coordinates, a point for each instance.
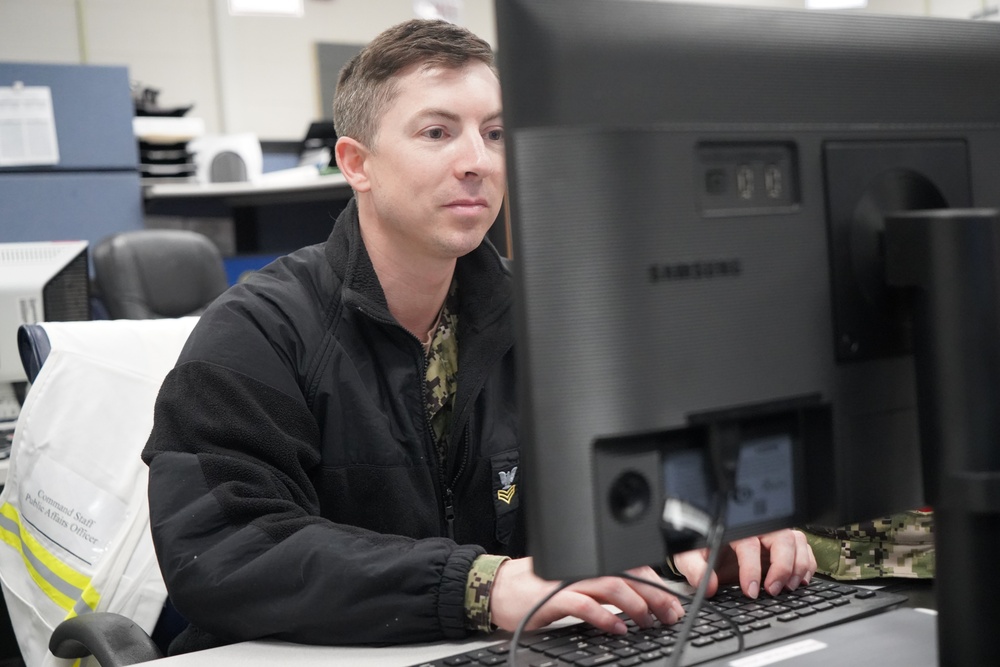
(39, 282)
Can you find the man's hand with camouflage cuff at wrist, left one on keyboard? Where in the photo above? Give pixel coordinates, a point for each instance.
(516, 590)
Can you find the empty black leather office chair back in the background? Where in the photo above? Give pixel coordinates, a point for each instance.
(158, 273)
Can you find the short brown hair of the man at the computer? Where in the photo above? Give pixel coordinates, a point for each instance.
(366, 85)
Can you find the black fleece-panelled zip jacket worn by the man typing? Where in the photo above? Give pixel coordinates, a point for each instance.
(294, 489)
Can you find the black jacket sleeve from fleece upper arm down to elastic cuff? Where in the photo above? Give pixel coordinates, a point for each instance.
(238, 533)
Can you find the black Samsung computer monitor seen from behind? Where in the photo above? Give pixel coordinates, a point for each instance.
(697, 202)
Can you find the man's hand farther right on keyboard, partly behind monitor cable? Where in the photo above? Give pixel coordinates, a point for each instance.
(784, 556)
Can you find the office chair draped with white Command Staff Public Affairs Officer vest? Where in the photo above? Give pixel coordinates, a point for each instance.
(84, 421)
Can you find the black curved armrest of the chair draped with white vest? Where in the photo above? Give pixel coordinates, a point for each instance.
(111, 638)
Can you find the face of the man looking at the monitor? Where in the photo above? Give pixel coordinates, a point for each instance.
(437, 172)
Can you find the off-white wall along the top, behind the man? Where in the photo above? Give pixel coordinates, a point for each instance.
(252, 74)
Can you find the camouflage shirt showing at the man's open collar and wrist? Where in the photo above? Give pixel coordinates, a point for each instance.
(439, 395)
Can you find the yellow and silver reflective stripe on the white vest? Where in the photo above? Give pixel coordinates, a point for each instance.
(60, 582)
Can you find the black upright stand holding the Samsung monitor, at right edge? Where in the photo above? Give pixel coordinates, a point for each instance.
(949, 260)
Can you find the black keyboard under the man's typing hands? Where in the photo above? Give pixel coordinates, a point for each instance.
(762, 621)
